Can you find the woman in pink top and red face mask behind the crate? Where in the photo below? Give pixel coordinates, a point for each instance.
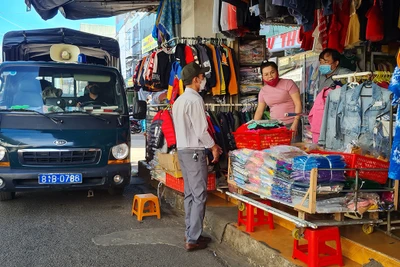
(280, 95)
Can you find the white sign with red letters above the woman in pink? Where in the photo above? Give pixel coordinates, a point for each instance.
(284, 41)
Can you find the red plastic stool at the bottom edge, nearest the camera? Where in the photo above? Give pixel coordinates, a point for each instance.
(310, 253)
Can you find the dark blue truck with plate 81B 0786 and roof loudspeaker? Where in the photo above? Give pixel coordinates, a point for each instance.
(63, 125)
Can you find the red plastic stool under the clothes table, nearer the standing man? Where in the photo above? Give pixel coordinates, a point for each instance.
(252, 216)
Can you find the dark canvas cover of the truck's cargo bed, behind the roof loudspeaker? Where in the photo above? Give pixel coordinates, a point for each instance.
(34, 44)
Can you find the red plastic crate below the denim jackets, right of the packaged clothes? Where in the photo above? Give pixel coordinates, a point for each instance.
(354, 161)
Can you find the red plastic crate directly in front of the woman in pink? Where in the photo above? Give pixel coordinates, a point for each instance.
(262, 139)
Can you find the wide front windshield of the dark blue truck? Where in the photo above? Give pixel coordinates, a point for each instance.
(61, 89)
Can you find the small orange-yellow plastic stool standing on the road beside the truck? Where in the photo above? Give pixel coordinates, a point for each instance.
(139, 209)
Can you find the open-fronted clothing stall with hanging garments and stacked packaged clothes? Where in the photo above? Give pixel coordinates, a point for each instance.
(321, 181)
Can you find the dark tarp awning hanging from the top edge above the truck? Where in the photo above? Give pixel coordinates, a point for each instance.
(85, 9)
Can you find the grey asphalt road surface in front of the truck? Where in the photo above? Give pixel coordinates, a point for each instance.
(70, 229)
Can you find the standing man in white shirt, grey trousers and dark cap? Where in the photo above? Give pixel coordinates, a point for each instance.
(192, 139)
